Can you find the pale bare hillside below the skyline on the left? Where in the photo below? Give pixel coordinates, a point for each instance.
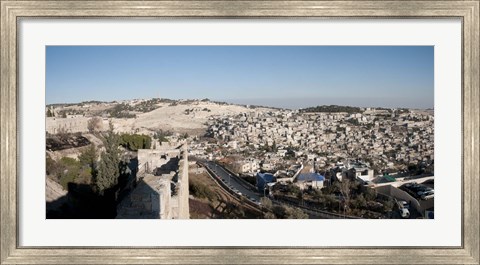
(177, 116)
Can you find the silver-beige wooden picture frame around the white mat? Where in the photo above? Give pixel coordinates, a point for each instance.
(467, 253)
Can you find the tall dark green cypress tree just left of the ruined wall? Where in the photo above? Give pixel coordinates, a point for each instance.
(108, 167)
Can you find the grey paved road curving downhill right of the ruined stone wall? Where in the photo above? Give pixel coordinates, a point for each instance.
(232, 181)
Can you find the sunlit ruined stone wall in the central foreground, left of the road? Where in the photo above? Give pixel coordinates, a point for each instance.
(162, 190)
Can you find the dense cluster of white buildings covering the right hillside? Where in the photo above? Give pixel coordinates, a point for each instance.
(383, 139)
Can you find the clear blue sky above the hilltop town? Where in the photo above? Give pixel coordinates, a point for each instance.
(280, 76)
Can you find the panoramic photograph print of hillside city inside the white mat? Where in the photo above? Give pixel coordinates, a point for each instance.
(239, 132)
